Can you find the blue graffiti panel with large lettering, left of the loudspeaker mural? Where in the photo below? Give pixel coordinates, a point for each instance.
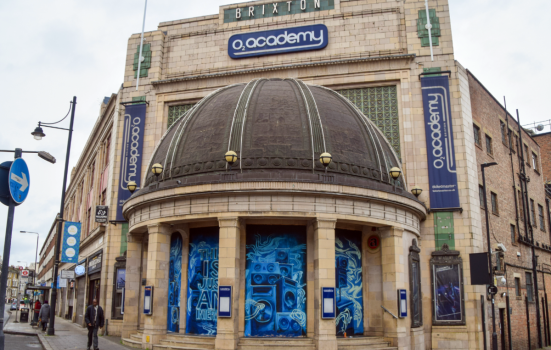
(202, 291)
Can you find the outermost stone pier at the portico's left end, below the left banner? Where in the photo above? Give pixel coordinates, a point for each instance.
(132, 285)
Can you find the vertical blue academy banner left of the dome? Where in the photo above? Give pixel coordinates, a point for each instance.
(131, 153)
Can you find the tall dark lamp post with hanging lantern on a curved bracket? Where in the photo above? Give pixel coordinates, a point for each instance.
(38, 134)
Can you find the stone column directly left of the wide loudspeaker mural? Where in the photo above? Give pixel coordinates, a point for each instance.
(227, 335)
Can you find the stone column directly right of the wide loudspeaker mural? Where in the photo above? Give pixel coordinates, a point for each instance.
(325, 334)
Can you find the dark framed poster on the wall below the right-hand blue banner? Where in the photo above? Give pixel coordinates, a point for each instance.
(447, 291)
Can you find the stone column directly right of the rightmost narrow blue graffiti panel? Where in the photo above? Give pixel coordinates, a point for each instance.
(394, 262)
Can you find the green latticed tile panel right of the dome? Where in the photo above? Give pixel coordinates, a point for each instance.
(380, 104)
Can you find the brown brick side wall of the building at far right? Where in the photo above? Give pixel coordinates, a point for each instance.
(488, 115)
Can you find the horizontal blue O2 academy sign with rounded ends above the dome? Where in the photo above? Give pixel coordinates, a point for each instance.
(271, 42)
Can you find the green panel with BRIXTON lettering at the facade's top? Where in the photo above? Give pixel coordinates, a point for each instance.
(282, 10)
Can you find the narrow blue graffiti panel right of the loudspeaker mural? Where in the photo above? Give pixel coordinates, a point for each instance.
(348, 282)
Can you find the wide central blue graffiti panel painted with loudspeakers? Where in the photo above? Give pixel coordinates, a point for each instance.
(275, 277)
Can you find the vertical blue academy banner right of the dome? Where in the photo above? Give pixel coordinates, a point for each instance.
(444, 193)
